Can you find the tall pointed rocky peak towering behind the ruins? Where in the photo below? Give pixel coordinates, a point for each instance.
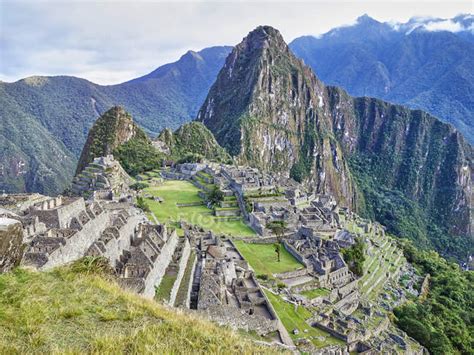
(270, 111)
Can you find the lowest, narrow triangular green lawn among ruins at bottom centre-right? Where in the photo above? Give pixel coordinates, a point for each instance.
(296, 319)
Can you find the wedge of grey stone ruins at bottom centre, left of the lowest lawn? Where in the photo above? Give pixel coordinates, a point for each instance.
(228, 292)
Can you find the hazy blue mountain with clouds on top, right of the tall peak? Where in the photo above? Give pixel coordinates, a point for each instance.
(402, 63)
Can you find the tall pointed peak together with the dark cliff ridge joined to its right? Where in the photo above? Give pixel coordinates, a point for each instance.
(403, 167)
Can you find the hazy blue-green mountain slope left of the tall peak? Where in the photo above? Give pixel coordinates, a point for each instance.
(44, 117)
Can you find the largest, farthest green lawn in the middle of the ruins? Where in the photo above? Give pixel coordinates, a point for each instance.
(173, 192)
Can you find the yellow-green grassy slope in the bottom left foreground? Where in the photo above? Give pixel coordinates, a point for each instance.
(77, 309)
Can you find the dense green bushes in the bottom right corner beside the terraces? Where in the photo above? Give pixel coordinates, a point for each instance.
(443, 321)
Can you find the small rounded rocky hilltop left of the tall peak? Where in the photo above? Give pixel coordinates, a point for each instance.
(114, 128)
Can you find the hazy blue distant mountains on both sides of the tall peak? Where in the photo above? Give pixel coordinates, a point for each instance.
(45, 120)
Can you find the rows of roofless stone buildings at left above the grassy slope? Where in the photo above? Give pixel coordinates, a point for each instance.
(59, 230)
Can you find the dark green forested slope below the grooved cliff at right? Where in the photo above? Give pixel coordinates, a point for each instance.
(403, 216)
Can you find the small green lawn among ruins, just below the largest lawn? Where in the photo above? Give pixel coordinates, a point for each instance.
(263, 259)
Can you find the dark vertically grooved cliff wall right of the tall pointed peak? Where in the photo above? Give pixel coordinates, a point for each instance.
(409, 151)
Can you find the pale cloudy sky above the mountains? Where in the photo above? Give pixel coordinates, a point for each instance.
(109, 42)
